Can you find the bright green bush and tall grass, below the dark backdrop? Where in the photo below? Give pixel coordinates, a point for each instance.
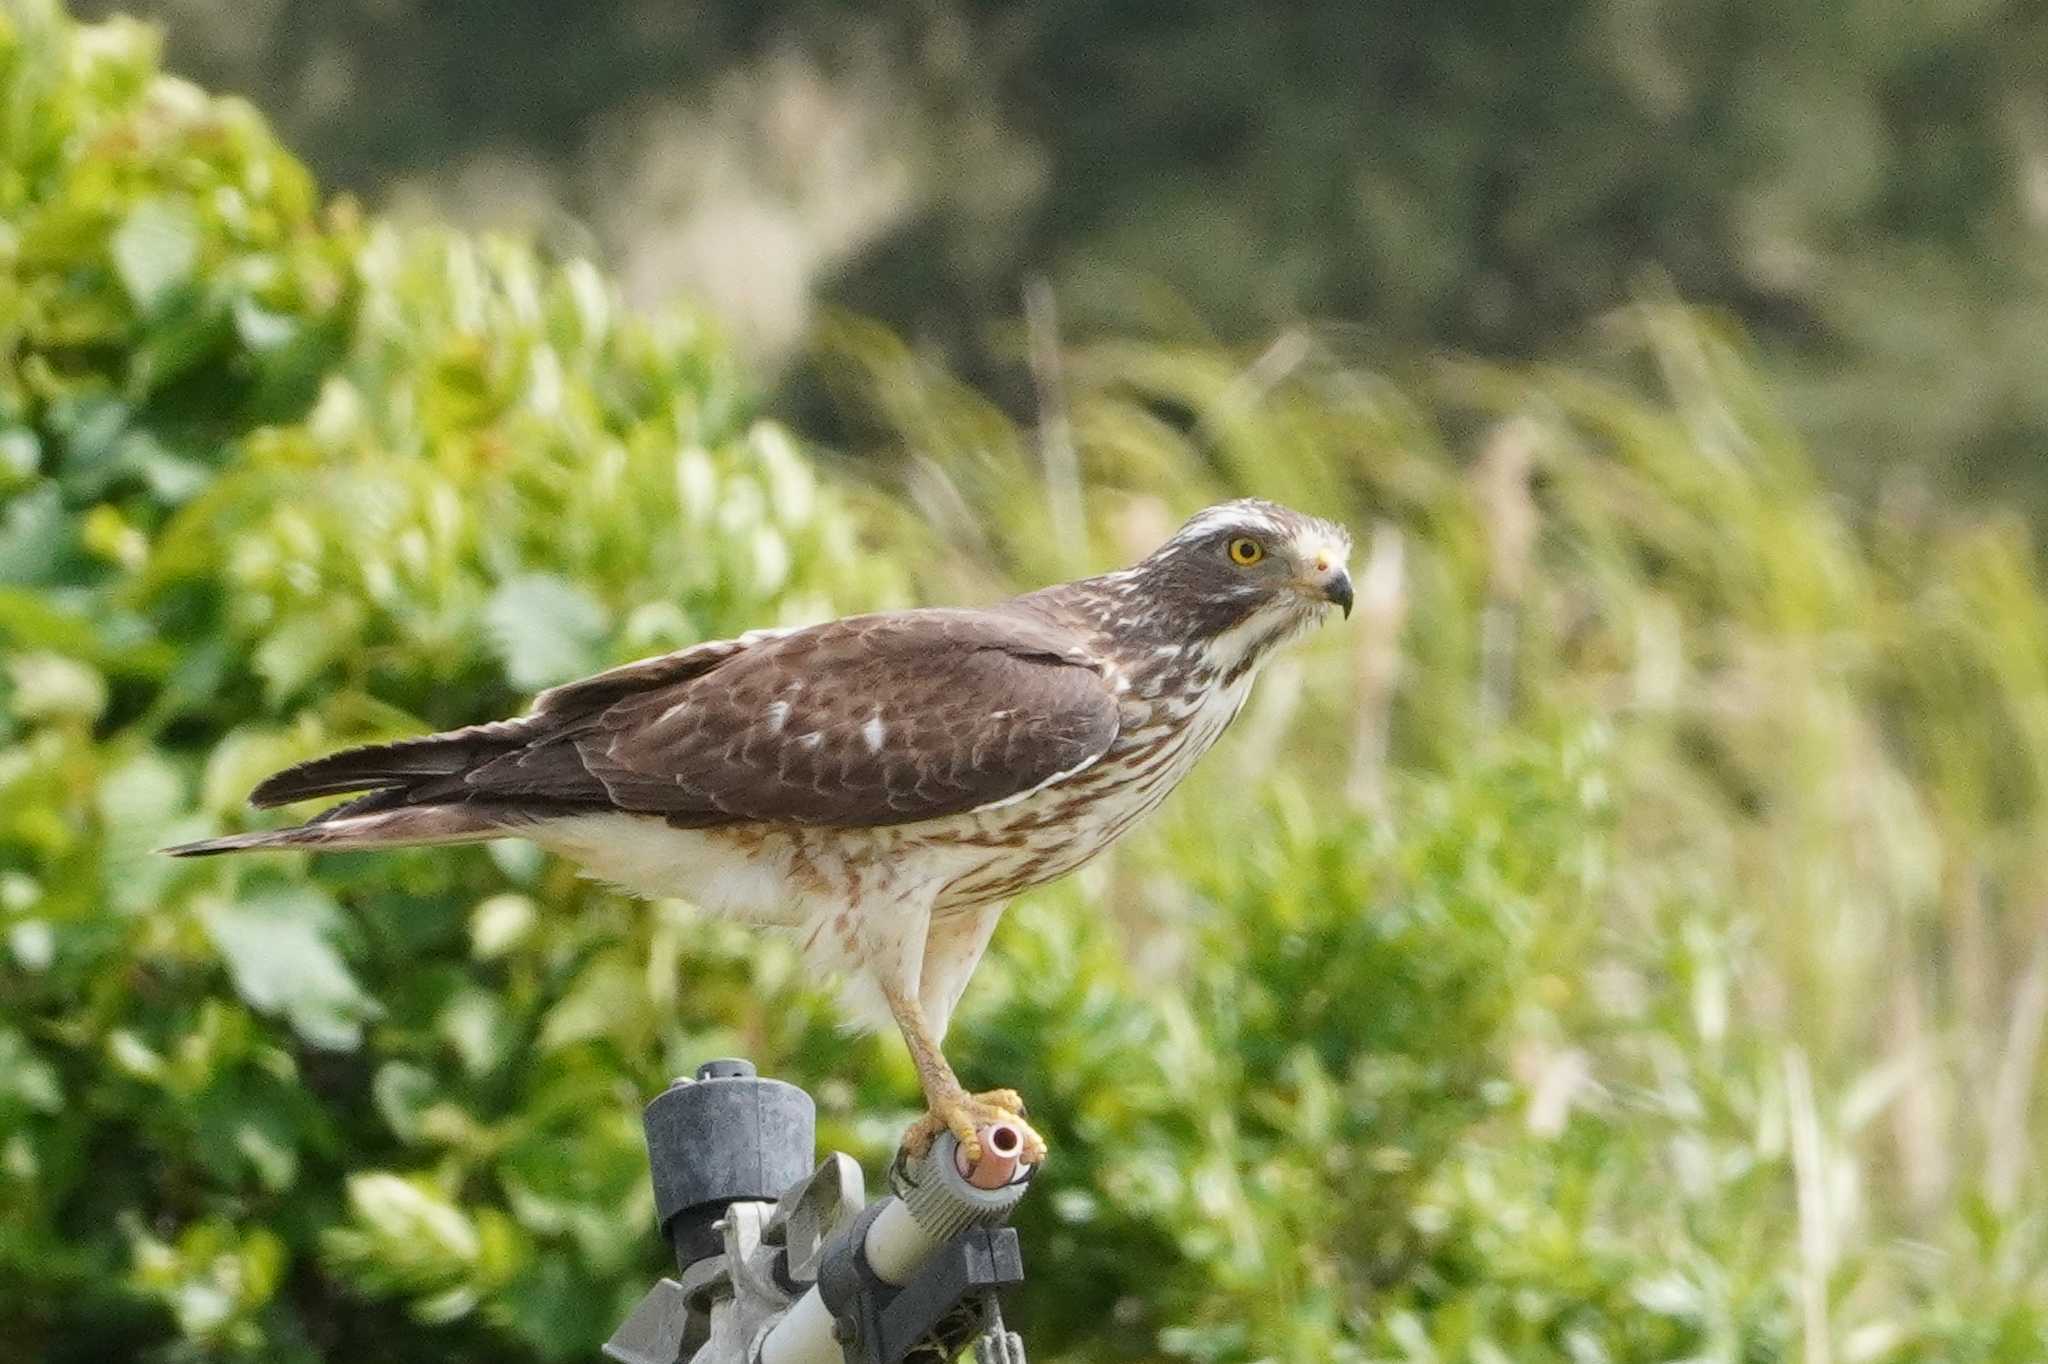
(1621, 943)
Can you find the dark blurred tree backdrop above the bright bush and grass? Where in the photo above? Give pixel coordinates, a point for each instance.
(1865, 185)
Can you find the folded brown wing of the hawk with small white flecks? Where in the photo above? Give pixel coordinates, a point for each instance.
(861, 722)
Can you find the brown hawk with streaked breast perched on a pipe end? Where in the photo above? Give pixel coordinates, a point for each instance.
(878, 785)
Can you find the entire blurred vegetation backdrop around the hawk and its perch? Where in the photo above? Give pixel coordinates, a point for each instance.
(1623, 941)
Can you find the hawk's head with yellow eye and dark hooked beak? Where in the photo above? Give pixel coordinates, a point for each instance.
(1246, 577)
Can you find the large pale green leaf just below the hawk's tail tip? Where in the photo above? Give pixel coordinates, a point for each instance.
(280, 953)
